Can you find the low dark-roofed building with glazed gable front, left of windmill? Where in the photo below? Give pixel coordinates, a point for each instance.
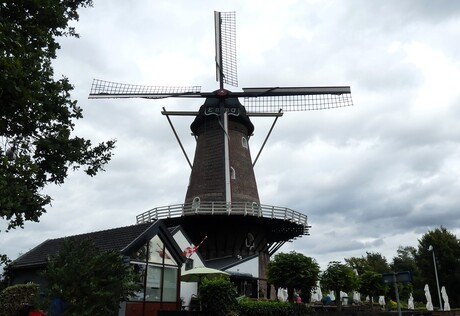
(160, 270)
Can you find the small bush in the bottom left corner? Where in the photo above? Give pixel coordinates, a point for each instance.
(15, 297)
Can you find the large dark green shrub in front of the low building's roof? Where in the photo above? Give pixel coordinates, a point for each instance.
(87, 280)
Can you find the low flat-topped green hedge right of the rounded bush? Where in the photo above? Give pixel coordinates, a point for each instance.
(247, 307)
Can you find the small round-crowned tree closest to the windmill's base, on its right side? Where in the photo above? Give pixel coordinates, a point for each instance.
(293, 271)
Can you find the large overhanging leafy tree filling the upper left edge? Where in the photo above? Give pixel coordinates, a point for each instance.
(37, 115)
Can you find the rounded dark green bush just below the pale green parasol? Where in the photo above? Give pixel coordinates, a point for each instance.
(218, 297)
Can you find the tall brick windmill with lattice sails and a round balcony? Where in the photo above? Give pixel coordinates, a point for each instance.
(222, 200)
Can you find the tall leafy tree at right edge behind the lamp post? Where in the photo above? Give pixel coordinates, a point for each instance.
(446, 247)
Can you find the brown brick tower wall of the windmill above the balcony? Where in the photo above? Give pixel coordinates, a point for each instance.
(207, 180)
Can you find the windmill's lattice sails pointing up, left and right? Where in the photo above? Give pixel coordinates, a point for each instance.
(266, 100)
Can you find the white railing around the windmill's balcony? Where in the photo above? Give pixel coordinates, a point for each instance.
(223, 208)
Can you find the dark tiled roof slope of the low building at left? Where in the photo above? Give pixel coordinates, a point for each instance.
(111, 239)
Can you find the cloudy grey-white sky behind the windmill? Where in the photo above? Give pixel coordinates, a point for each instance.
(370, 177)
